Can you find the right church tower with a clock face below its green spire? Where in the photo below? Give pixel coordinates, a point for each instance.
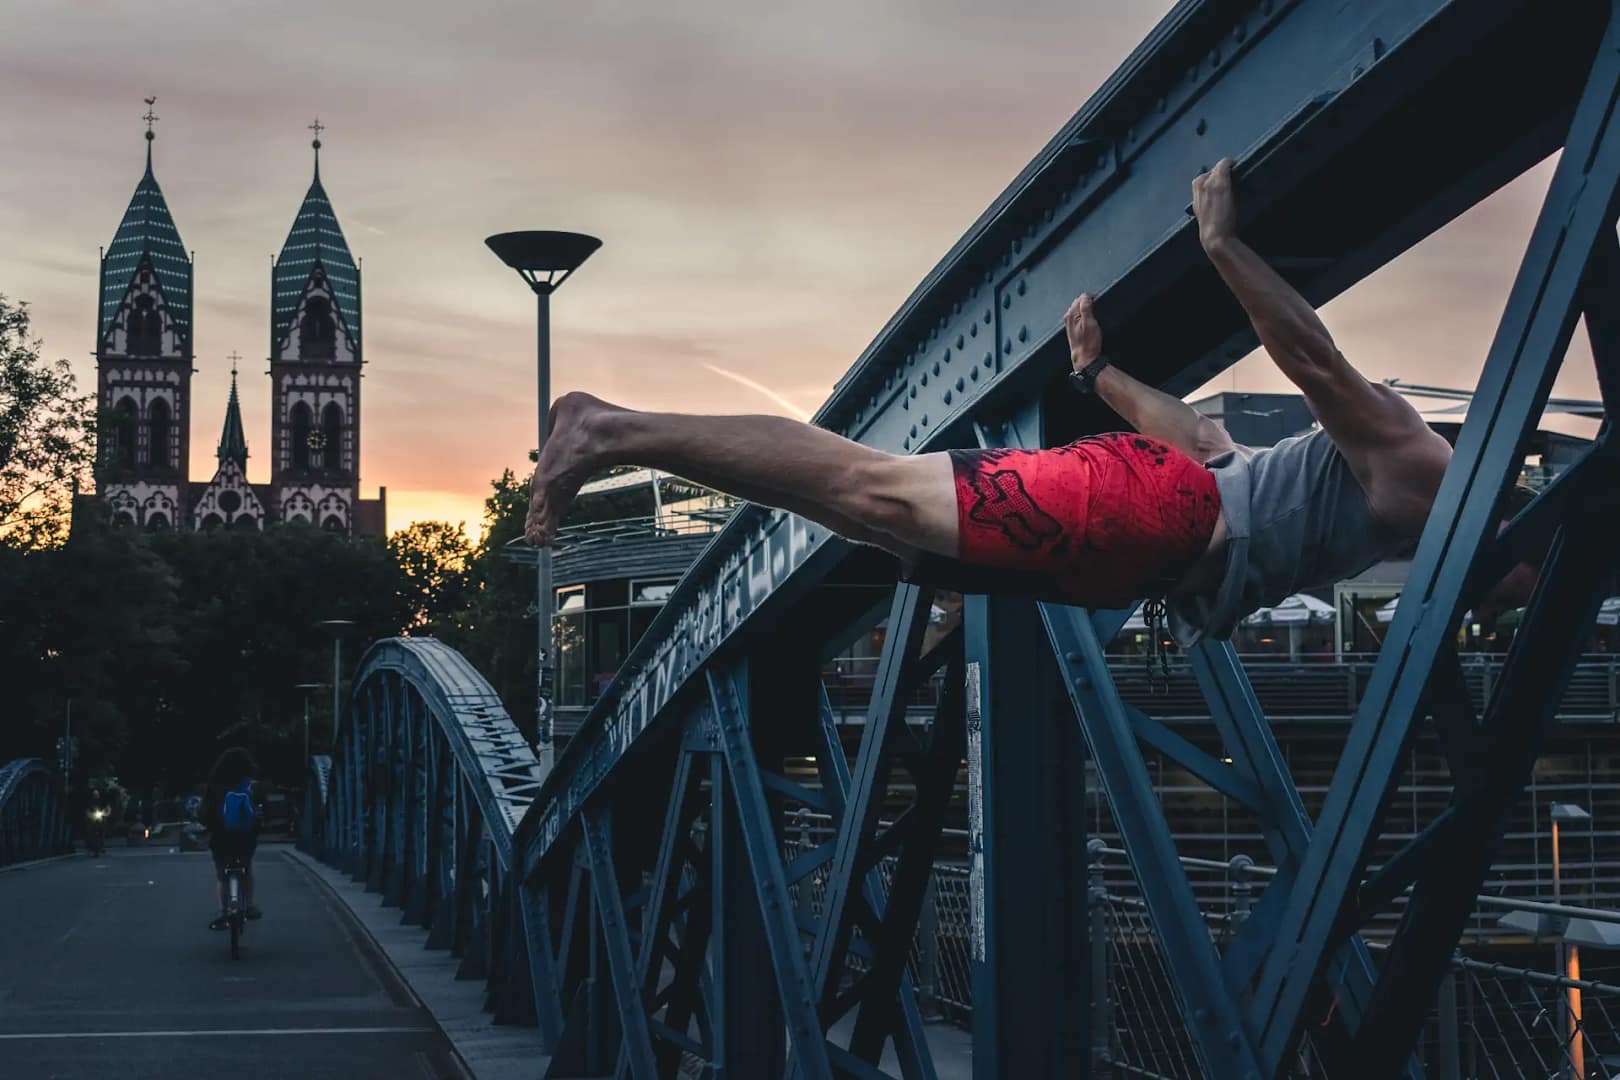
(315, 373)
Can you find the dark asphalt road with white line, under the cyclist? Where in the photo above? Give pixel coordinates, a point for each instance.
(108, 969)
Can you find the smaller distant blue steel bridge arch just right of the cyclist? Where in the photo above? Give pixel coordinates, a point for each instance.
(420, 799)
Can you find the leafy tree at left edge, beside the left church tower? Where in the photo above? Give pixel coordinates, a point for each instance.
(48, 436)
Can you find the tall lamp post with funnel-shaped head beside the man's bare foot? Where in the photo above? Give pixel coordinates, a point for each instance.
(544, 260)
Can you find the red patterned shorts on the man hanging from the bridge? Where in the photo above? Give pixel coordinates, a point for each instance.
(1101, 522)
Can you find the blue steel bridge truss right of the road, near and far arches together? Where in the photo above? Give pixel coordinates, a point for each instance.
(641, 904)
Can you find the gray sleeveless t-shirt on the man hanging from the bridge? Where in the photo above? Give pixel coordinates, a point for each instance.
(1297, 519)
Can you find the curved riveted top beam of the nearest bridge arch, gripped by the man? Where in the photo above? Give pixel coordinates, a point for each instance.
(1316, 98)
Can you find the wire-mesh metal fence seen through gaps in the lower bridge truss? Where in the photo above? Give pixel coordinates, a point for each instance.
(1493, 1021)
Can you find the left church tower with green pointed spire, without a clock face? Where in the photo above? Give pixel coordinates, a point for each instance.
(143, 360)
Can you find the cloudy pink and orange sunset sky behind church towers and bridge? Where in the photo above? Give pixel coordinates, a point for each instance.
(770, 182)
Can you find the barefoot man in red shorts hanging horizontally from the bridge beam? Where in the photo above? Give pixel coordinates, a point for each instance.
(1174, 511)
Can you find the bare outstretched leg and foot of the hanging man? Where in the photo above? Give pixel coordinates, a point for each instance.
(903, 504)
